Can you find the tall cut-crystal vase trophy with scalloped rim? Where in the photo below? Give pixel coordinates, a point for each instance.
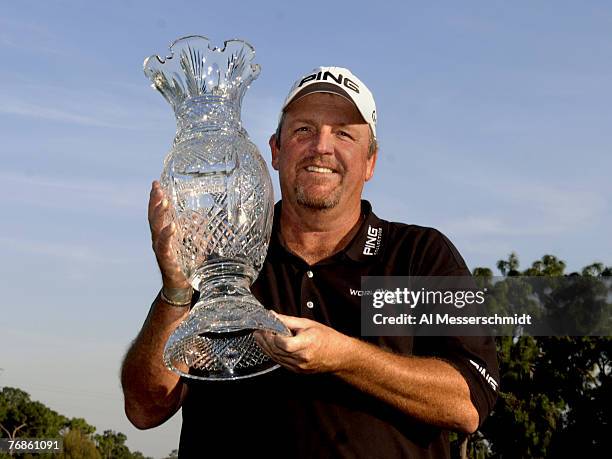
(222, 205)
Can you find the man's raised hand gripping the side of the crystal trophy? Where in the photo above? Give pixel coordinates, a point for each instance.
(161, 237)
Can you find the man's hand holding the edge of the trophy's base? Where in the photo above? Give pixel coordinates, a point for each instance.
(313, 348)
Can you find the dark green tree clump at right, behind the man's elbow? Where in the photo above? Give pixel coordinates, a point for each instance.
(555, 395)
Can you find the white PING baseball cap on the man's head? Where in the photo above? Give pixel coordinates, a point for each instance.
(340, 81)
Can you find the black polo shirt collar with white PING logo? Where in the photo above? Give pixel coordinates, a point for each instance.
(367, 244)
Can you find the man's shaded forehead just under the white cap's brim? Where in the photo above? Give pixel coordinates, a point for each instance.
(322, 105)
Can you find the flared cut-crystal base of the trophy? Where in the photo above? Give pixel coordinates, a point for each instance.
(216, 341)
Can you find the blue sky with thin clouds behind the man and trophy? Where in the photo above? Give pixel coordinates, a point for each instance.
(494, 124)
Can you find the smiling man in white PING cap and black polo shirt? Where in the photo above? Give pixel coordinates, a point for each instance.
(337, 394)
